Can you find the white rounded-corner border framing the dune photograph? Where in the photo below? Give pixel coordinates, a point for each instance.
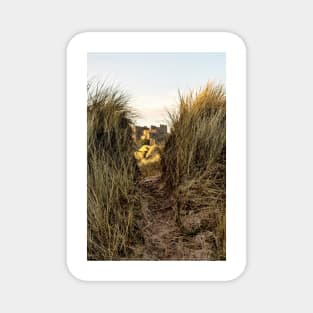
(235, 48)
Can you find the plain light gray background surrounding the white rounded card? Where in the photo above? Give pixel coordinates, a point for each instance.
(33, 274)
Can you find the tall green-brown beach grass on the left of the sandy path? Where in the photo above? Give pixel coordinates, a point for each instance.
(112, 172)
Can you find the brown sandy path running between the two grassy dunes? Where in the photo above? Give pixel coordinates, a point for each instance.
(163, 239)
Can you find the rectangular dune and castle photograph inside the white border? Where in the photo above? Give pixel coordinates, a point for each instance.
(156, 156)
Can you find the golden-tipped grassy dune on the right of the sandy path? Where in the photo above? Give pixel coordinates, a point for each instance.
(194, 165)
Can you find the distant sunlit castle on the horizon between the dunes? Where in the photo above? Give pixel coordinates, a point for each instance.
(153, 135)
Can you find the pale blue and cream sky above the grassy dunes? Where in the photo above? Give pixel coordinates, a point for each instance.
(153, 79)
